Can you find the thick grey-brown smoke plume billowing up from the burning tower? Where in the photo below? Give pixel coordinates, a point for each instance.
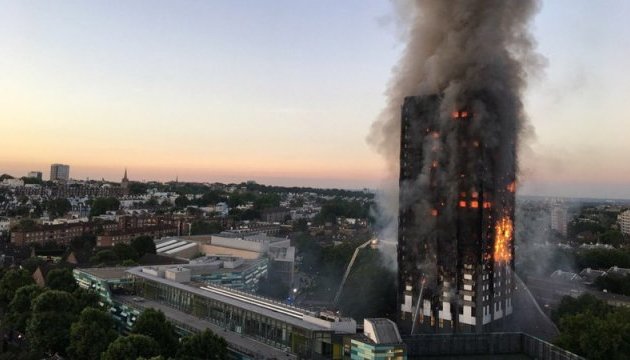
(473, 54)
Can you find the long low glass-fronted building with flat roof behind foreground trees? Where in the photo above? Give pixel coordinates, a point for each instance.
(253, 326)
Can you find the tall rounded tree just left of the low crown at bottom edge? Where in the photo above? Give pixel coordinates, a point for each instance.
(91, 334)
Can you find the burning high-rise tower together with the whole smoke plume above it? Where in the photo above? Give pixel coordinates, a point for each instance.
(460, 83)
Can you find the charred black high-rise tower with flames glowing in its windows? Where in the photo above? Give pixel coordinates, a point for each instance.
(455, 238)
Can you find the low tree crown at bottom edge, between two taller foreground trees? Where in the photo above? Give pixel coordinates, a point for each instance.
(131, 347)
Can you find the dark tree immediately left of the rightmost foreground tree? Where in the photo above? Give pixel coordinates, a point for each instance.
(153, 323)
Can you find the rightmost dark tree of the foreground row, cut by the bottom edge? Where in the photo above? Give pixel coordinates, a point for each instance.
(203, 345)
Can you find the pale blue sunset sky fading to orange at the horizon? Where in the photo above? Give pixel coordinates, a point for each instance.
(282, 92)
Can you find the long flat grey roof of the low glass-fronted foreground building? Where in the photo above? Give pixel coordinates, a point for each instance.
(137, 271)
